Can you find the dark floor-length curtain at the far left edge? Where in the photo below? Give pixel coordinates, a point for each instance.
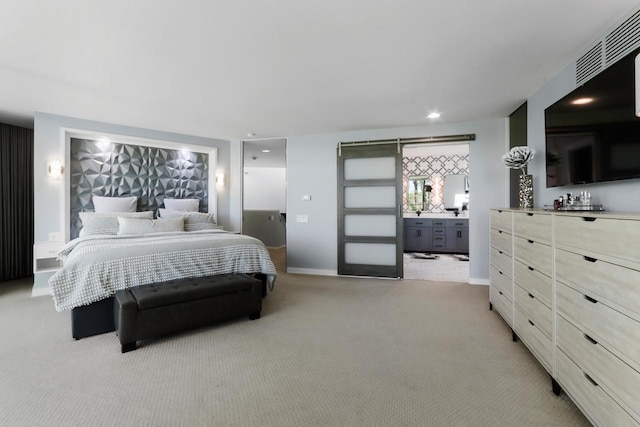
(16, 202)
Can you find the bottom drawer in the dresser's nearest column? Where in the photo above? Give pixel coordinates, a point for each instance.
(594, 401)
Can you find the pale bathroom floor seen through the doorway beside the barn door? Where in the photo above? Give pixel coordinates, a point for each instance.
(445, 268)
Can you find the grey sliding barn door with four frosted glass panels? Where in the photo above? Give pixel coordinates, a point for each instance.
(370, 234)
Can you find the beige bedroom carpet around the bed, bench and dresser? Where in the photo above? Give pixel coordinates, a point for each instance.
(326, 352)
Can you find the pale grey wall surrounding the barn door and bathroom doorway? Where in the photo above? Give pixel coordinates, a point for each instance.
(312, 170)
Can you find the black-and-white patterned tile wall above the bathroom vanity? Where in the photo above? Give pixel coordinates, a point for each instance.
(436, 167)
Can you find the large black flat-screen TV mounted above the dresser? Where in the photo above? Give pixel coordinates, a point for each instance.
(598, 138)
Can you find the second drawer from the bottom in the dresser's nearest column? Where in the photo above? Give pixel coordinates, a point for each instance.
(611, 373)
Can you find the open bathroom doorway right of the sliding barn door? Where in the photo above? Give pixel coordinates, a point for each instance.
(436, 211)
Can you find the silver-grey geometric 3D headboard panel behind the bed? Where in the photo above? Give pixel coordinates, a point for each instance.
(149, 173)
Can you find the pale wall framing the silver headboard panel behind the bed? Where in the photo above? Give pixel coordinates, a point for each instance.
(49, 133)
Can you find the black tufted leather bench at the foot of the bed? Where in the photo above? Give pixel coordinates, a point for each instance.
(157, 309)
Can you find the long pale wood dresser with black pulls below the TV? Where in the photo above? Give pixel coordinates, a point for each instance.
(568, 285)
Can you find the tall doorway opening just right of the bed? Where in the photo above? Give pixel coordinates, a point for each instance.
(264, 200)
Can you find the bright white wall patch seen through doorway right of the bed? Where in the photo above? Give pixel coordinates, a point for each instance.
(265, 189)
